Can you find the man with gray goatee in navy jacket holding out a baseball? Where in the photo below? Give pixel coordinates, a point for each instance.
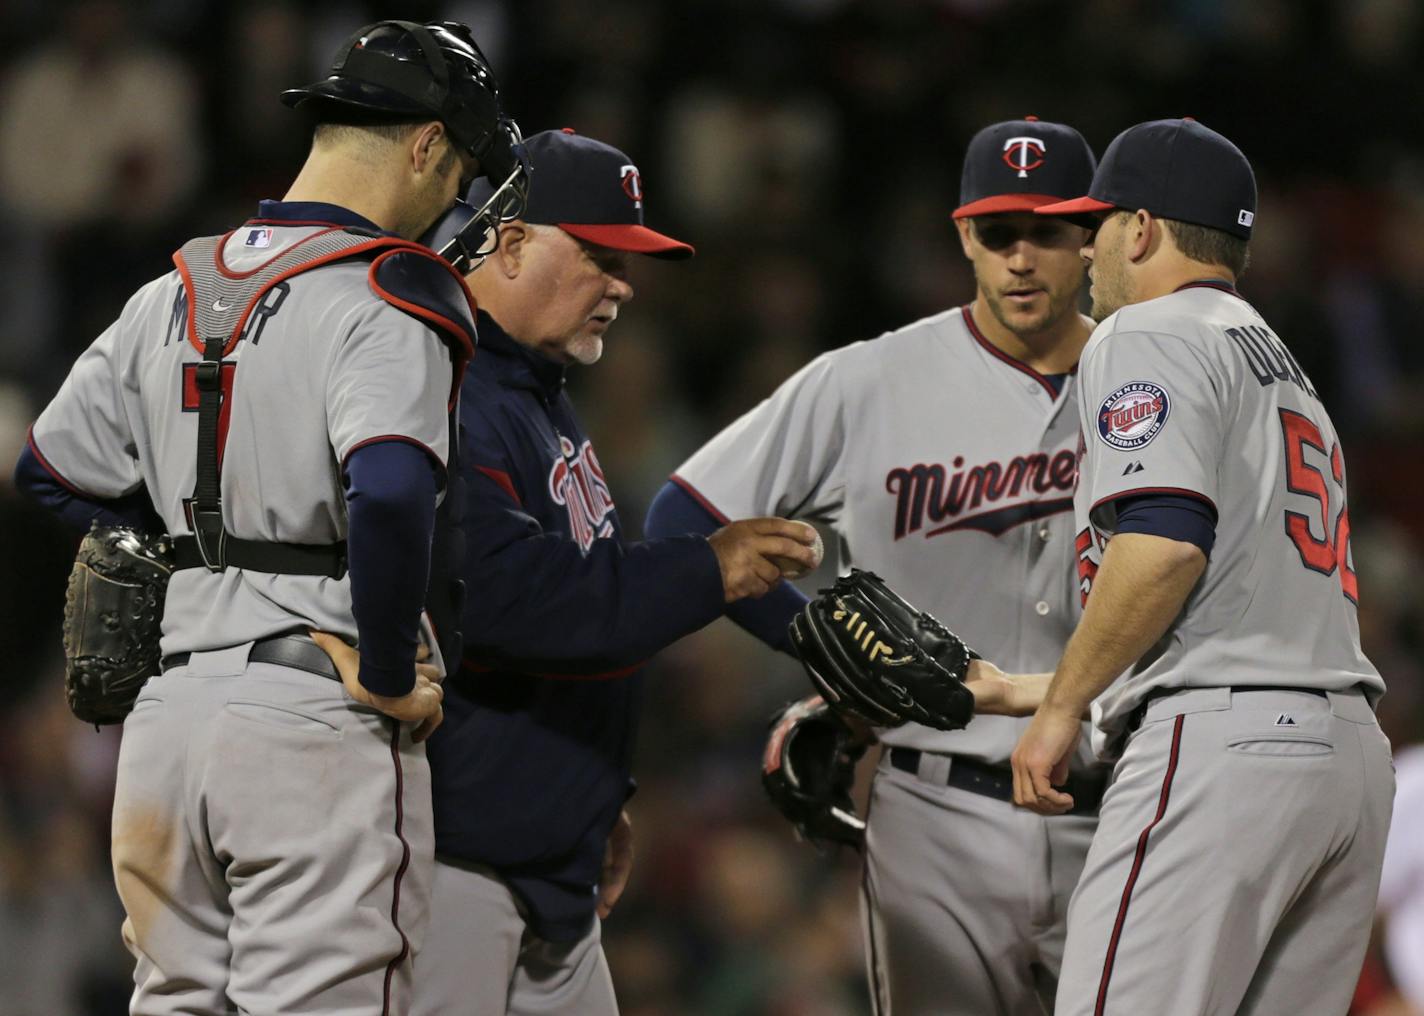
(532, 769)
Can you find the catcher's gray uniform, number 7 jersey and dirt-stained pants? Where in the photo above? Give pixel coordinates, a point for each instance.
(233, 877)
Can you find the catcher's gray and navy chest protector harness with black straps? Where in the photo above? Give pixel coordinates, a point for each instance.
(220, 304)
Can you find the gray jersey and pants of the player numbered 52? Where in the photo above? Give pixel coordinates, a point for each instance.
(1261, 735)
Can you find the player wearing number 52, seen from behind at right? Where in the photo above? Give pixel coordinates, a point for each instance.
(1238, 851)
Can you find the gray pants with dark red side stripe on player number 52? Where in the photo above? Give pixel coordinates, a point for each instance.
(1237, 861)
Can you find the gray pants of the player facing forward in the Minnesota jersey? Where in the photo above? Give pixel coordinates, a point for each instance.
(966, 897)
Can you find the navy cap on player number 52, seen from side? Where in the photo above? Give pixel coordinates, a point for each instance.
(1178, 170)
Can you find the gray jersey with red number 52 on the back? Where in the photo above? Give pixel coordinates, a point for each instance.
(1193, 394)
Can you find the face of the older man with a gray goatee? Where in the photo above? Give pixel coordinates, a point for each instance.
(580, 290)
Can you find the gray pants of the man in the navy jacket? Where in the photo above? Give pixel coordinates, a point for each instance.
(481, 958)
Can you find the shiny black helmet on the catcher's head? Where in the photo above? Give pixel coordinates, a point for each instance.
(404, 69)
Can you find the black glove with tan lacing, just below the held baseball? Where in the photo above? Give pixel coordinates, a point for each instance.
(876, 658)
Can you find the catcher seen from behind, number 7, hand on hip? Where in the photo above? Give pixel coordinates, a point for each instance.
(281, 404)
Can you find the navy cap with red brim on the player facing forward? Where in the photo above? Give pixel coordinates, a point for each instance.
(1020, 166)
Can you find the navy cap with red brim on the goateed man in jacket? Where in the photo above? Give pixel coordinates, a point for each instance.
(590, 190)
